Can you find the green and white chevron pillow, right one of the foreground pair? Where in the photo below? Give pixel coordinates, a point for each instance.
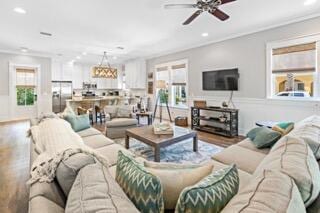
(211, 194)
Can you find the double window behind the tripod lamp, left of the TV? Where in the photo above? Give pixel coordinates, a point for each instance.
(174, 75)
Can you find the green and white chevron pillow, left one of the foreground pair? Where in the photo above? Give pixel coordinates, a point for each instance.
(141, 187)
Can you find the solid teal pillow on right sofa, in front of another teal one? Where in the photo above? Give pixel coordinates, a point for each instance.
(266, 138)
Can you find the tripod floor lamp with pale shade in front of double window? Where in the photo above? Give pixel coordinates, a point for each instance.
(160, 97)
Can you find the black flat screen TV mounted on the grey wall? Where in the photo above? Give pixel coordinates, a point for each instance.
(222, 80)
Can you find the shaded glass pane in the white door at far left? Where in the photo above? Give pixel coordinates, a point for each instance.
(25, 87)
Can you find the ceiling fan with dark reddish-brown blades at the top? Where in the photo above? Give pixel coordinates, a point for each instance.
(210, 6)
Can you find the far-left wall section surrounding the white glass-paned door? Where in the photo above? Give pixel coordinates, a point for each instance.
(45, 83)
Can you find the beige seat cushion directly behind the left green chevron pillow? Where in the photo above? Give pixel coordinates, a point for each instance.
(111, 152)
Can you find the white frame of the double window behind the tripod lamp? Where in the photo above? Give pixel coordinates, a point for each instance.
(170, 87)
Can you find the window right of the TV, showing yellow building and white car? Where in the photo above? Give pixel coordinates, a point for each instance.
(293, 69)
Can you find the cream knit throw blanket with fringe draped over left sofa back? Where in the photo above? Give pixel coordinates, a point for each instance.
(57, 142)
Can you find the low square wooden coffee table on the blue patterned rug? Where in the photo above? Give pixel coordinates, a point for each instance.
(145, 135)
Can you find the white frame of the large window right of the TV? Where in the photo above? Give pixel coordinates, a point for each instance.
(286, 43)
